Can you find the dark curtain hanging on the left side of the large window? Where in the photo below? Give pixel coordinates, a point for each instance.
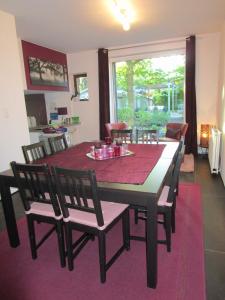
(103, 75)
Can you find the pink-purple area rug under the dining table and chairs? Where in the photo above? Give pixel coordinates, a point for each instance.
(181, 273)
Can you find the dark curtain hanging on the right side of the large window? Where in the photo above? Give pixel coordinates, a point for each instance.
(190, 97)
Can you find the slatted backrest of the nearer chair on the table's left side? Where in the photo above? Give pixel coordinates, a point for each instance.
(34, 152)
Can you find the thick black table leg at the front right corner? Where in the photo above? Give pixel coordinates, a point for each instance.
(151, 244)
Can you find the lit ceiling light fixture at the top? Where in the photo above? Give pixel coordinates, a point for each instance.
(123, 12)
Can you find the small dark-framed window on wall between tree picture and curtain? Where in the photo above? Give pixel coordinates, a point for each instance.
(81, 87)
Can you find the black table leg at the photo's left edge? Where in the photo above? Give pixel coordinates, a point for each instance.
(9, 214)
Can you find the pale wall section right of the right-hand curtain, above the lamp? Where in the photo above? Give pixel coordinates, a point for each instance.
(207, 78)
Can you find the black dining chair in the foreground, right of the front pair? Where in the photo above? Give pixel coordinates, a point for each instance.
(83, 211)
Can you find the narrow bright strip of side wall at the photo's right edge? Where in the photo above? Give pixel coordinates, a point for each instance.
(221, 110)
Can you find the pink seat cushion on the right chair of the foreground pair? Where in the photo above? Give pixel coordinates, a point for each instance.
(110, 211)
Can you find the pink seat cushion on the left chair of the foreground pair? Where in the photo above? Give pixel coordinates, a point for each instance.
(43, 209)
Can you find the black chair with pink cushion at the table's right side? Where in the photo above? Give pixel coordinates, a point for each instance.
(166, 202)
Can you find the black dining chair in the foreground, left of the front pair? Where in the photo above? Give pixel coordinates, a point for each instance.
(40, 204)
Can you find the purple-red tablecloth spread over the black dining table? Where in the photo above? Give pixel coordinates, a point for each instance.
(129, 169)
